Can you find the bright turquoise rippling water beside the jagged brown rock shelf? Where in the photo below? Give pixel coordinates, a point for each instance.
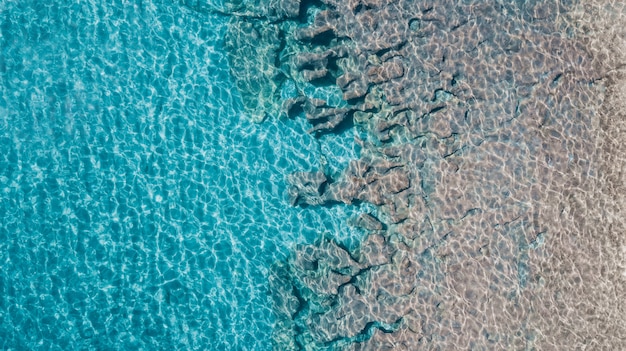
(139, 208)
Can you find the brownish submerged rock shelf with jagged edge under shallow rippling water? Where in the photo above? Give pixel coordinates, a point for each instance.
(491, 150)
